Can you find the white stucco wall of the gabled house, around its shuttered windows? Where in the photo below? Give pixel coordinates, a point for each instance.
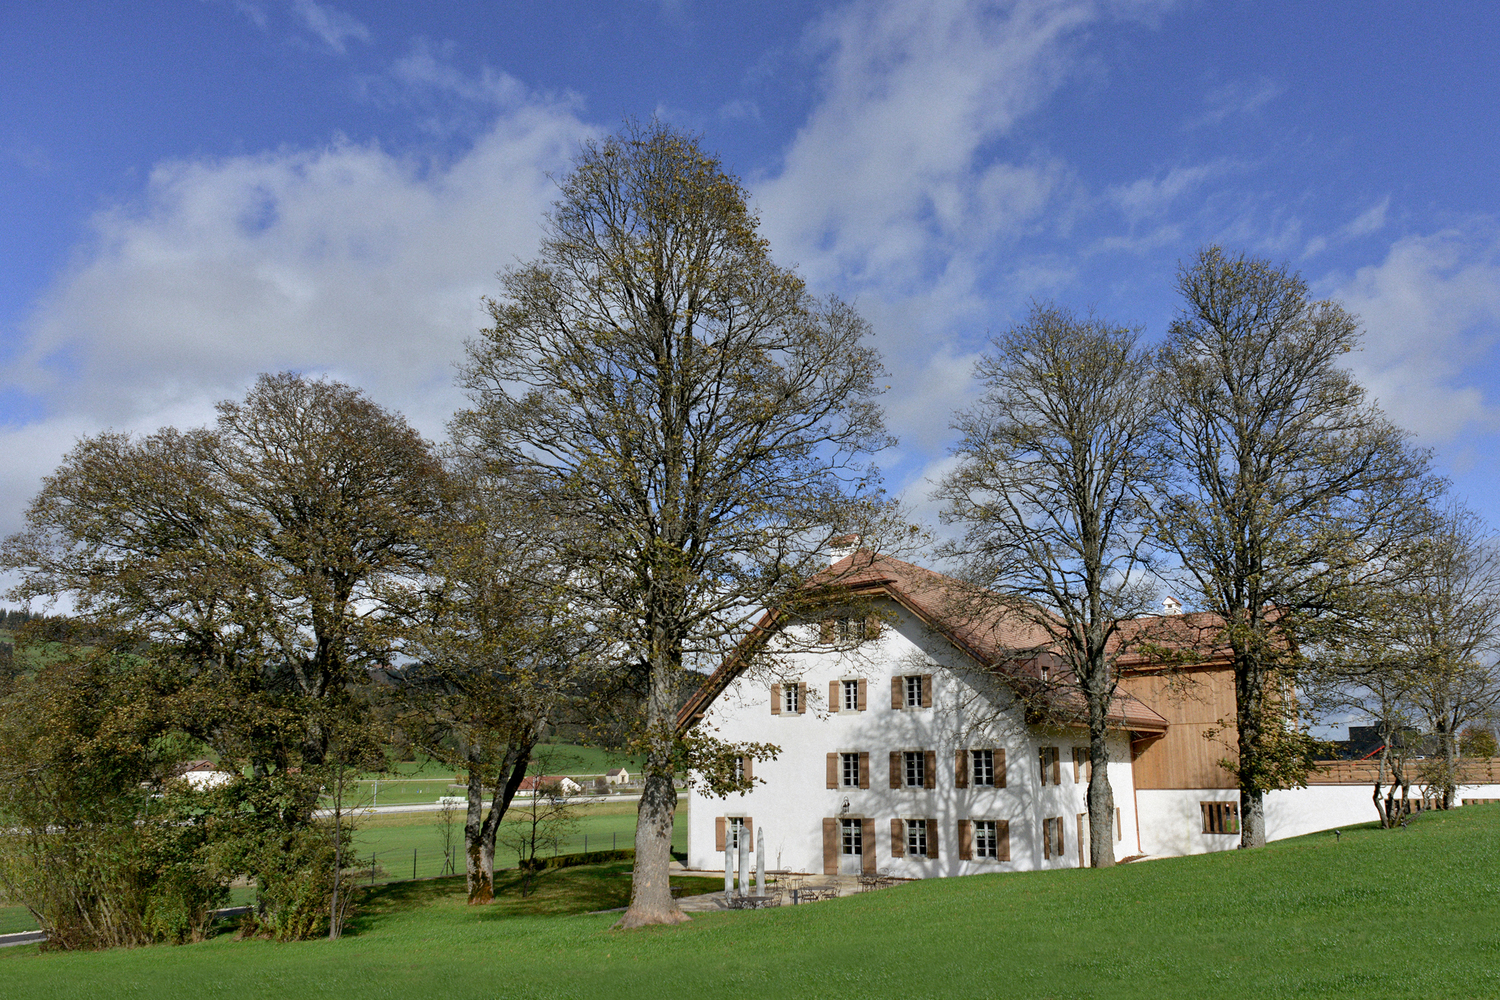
(971, 711)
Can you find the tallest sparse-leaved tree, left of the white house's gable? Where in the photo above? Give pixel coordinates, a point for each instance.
(697, 418)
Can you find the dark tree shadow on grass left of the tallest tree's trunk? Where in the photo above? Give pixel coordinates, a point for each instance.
(554, 893)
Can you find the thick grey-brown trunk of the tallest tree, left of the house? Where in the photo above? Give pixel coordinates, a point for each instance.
(650, 890)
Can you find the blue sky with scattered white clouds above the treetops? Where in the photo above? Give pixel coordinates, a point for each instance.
(197, 191)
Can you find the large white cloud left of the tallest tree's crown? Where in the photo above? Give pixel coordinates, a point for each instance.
(346, 262)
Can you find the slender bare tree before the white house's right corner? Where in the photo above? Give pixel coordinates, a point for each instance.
(1046, 488)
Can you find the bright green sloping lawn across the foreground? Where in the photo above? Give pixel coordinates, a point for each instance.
(1412, 914)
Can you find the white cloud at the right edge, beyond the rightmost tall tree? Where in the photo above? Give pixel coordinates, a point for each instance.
(1432, 317)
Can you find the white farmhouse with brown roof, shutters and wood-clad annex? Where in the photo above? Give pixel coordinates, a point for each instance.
(913, 741)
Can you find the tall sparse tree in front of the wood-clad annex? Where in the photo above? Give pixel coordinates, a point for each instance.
(1292, 491)
